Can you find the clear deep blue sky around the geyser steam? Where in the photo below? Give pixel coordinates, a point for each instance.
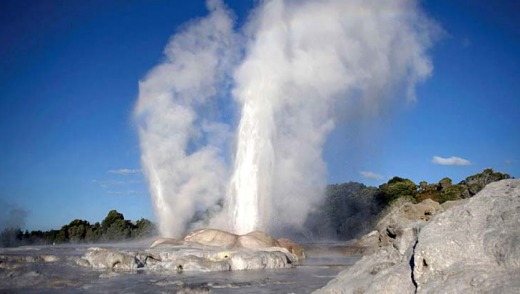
(69, 73)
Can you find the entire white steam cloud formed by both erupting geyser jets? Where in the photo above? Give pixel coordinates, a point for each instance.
(286, 71)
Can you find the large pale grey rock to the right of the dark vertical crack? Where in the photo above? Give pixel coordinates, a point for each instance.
(473, 247)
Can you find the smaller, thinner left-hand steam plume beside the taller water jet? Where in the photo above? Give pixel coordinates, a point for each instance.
(181, 154)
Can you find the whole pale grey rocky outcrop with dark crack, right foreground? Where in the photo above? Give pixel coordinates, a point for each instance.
(472, 247)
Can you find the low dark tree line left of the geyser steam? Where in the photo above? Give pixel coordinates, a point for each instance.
(113, 228)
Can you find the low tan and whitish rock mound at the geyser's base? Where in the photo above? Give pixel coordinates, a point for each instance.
(202, 250)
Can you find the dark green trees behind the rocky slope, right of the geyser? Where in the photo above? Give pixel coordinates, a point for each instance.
(352, 209)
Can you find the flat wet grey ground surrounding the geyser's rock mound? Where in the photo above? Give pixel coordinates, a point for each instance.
(53, 269)
